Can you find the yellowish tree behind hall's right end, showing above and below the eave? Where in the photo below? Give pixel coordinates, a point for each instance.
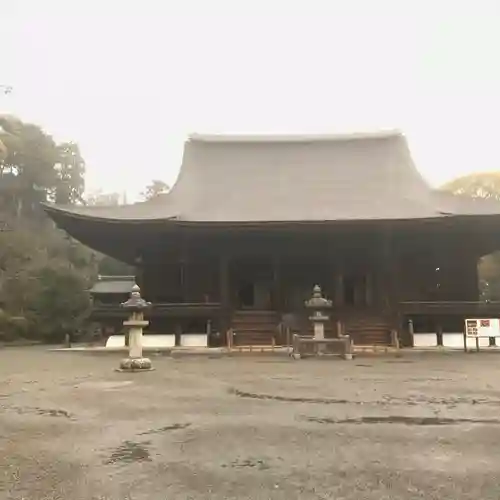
(487, 186)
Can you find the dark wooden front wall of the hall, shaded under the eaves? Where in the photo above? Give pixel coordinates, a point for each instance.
(373, 268)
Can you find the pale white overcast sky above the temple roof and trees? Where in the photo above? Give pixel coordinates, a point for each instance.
(128, 80)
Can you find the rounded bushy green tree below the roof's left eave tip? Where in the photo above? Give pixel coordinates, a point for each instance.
(44, 276)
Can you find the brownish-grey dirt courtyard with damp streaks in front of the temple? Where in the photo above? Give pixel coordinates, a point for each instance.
(420, 426)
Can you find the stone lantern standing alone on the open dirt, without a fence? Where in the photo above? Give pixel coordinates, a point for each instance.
(135, 323)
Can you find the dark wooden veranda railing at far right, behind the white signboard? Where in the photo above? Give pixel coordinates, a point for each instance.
(473, 308)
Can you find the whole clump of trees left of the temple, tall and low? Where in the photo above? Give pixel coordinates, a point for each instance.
(44, 274)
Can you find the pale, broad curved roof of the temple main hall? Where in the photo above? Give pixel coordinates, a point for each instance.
(292, 179)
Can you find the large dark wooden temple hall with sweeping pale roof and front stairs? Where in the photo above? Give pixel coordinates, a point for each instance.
(253, 223)
